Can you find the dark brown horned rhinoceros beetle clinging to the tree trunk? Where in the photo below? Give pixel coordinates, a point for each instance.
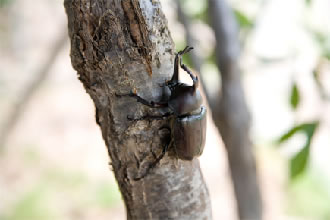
(188, 122)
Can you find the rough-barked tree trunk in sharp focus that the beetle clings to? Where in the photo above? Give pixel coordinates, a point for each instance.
(120, 46)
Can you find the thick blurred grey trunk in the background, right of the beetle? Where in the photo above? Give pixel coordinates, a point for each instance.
(230, 113)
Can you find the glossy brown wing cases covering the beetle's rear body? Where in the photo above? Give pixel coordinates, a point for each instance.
(189, 134)
